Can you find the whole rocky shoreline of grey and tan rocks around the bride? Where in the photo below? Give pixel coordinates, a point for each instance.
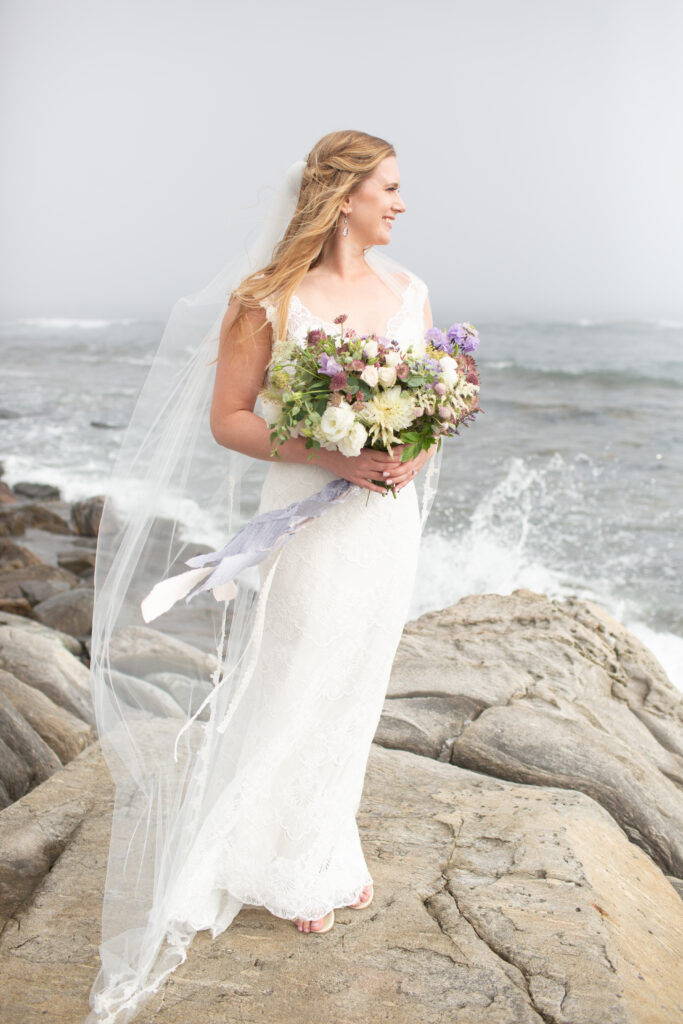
(523, 818)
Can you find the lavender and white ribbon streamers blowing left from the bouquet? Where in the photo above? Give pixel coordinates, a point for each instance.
(216, 571)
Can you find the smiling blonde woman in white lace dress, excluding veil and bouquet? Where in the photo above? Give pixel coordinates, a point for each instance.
(338, 604)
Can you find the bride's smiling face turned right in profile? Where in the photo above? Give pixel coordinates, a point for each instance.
(376, 203)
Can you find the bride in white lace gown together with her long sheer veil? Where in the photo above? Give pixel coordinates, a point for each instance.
(261, 807)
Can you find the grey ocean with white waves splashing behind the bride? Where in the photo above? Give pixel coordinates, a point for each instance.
(571, 482)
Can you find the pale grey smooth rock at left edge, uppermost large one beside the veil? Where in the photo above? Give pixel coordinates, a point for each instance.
(42, 662)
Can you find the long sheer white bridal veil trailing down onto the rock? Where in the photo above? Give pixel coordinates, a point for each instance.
(165, 696)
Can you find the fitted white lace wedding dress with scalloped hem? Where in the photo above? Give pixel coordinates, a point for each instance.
(282, 833)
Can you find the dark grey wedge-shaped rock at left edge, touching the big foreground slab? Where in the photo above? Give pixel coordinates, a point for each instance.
(25, 759)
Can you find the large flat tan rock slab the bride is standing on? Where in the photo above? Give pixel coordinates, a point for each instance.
(494, 903)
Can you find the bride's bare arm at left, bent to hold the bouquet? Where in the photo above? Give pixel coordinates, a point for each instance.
(240, 375)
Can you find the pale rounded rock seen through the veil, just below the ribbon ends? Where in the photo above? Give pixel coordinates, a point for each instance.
(141, 650)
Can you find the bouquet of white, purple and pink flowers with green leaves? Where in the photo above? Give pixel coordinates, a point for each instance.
(350, 393)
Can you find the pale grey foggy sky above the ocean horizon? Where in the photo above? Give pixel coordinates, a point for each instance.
(539, 143)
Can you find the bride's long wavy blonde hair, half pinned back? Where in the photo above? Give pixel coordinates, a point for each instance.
(336, 167)
